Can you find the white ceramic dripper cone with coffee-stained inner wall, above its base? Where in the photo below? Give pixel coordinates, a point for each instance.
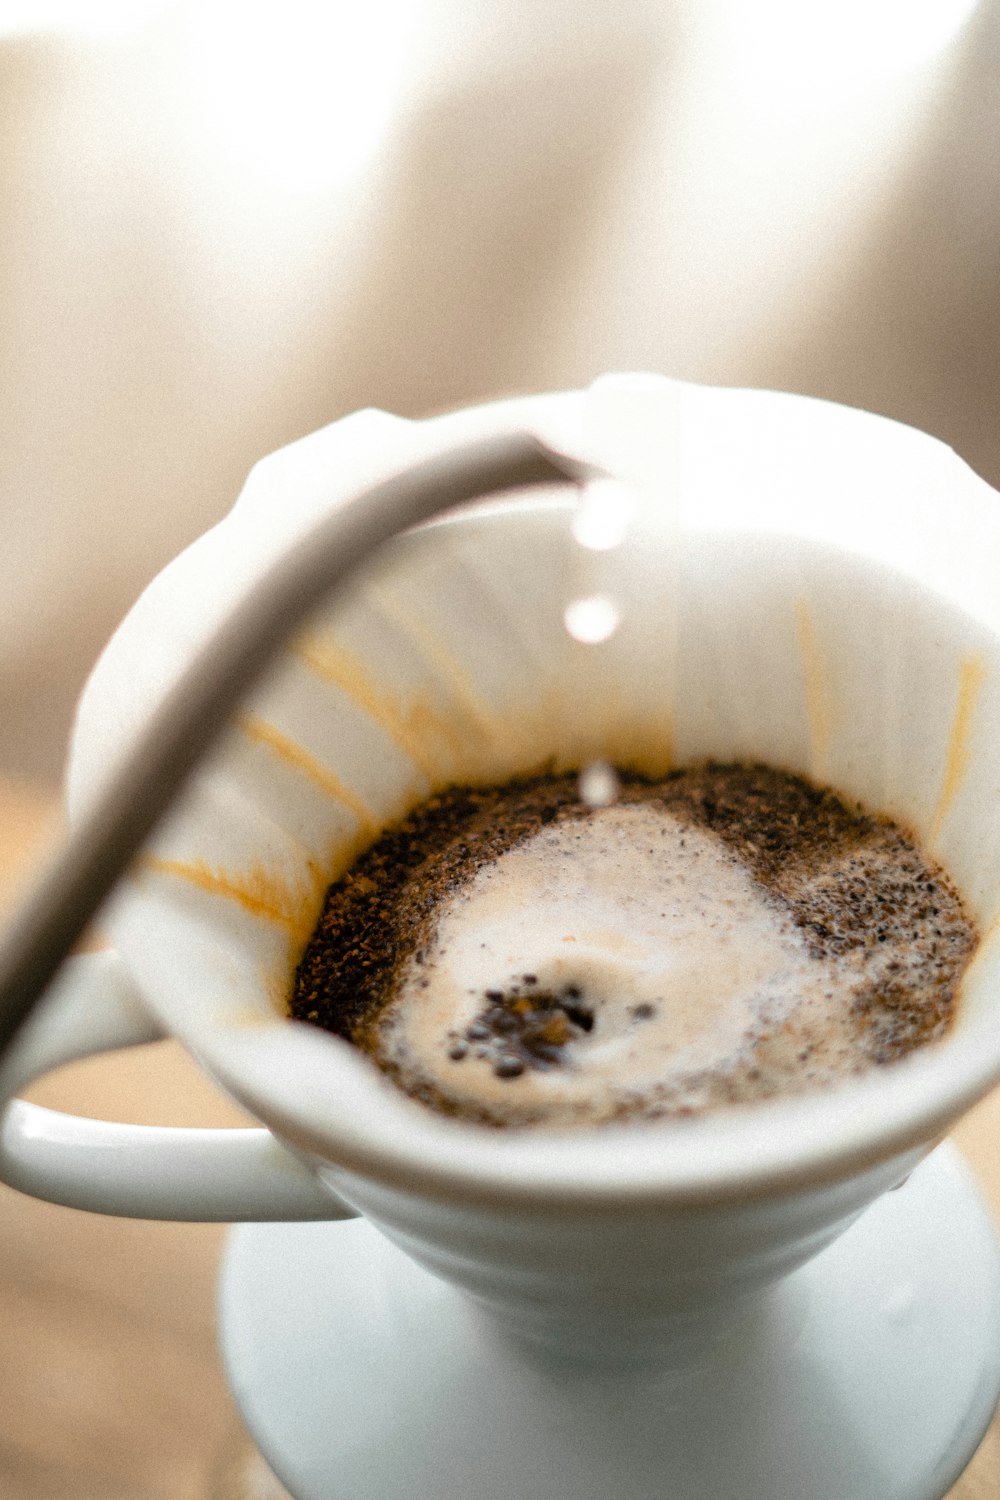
(825, 604)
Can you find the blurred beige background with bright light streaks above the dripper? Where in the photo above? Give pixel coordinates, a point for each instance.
(230, 224)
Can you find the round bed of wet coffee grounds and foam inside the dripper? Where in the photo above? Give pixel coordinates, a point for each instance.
(726, 935)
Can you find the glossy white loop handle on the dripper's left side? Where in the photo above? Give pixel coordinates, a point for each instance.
(136, 1171)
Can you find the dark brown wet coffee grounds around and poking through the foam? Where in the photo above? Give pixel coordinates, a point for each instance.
(855, 886)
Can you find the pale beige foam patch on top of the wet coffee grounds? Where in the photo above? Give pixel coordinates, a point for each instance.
(663, 941)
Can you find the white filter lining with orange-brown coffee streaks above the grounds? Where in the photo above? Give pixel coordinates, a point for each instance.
(801, 584)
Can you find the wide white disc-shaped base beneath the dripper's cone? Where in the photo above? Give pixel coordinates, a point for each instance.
(872, 1370)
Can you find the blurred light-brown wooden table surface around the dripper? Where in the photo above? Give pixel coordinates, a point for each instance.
(110, 1378)
